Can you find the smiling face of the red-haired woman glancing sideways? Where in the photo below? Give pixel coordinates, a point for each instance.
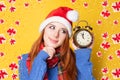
(54, 34)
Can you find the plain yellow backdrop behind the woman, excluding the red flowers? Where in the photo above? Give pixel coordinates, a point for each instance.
(30, 17)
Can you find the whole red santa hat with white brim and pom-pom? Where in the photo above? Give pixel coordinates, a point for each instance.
(62, 15)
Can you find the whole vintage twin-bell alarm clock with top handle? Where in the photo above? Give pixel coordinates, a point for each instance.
(82, 36)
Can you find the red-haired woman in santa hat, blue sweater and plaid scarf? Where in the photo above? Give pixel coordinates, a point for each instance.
(51, 57)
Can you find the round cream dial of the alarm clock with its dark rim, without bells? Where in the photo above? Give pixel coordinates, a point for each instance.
(83, 38)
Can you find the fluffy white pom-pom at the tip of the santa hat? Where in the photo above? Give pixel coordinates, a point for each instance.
(72, 15)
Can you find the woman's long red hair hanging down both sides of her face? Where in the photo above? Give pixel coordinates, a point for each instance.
(67, 57)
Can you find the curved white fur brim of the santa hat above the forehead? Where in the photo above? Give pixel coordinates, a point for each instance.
(57, 19)
